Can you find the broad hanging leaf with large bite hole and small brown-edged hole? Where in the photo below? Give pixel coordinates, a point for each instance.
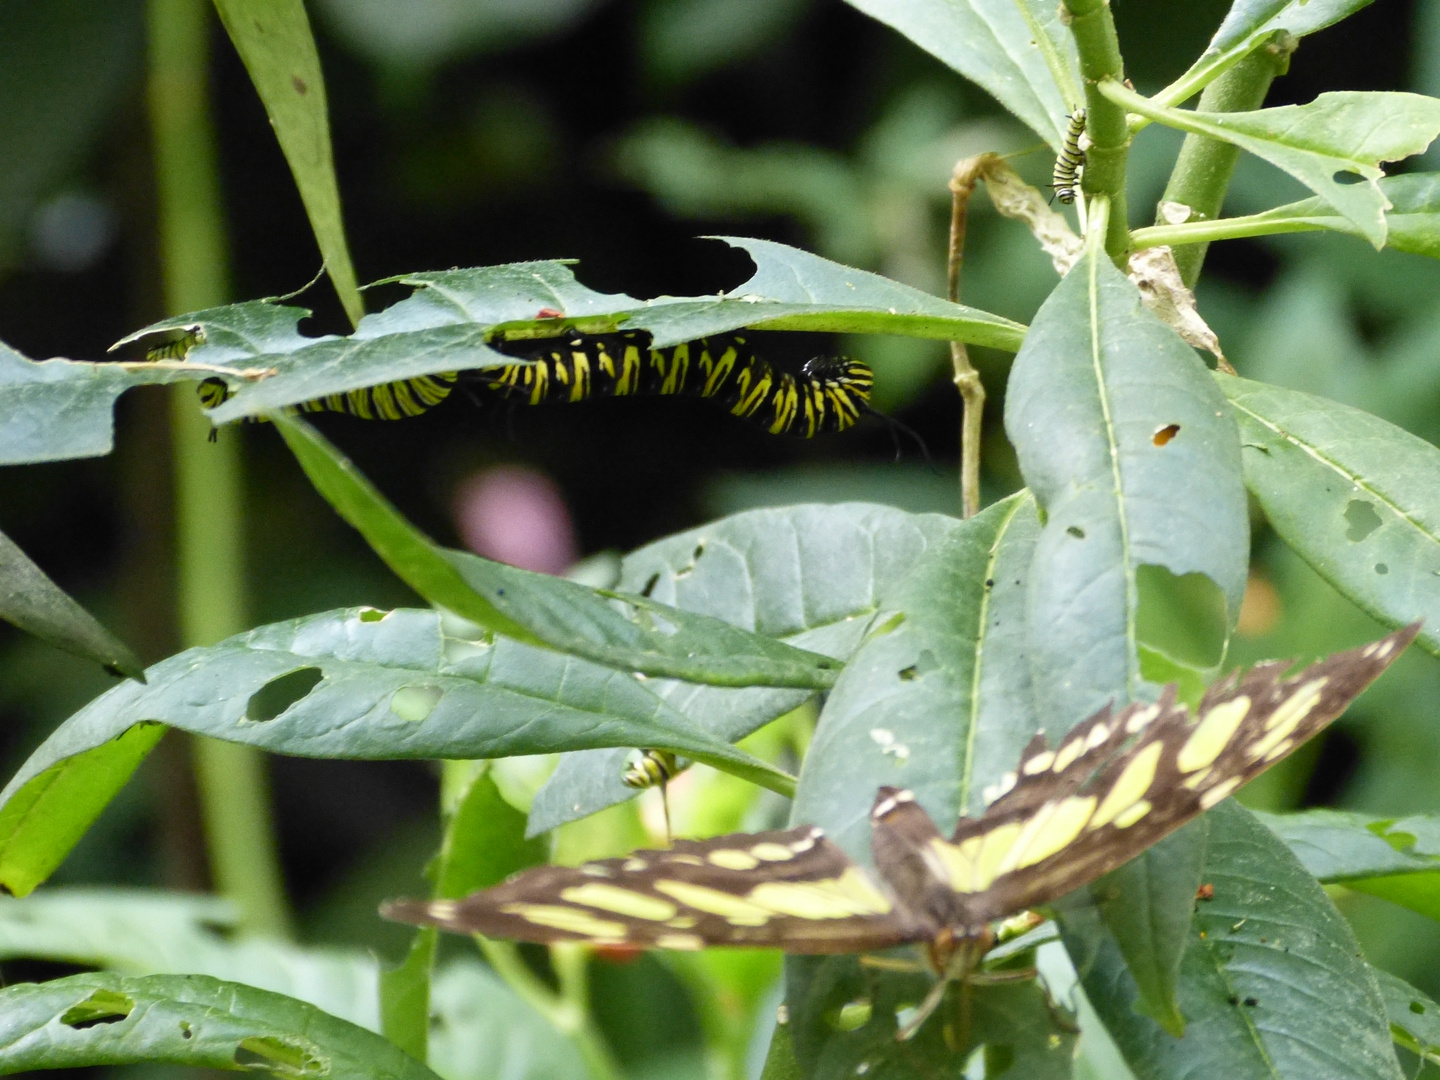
(1135, 462)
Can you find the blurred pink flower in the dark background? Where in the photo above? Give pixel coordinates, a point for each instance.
(516, 516)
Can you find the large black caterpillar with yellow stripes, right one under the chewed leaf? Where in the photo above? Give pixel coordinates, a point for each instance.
(827, 395)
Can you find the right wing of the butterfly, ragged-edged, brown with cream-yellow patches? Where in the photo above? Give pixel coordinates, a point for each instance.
(1118, 784)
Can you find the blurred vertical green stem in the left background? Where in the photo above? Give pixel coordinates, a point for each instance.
(210, 516)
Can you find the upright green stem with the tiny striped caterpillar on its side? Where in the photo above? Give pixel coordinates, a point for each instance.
(1099, 50)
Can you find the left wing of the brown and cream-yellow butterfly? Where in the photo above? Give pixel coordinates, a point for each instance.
(788, 889)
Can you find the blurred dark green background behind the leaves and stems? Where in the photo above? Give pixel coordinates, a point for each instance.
(620, 132)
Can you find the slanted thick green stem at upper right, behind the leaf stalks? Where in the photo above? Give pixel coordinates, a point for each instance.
(1205, 166)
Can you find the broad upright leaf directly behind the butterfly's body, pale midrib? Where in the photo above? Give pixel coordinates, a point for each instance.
(937, 701)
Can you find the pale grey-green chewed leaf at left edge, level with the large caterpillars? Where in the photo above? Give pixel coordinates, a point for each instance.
(60, 410)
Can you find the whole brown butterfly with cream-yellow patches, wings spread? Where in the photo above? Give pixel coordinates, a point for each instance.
(1115, 786)
